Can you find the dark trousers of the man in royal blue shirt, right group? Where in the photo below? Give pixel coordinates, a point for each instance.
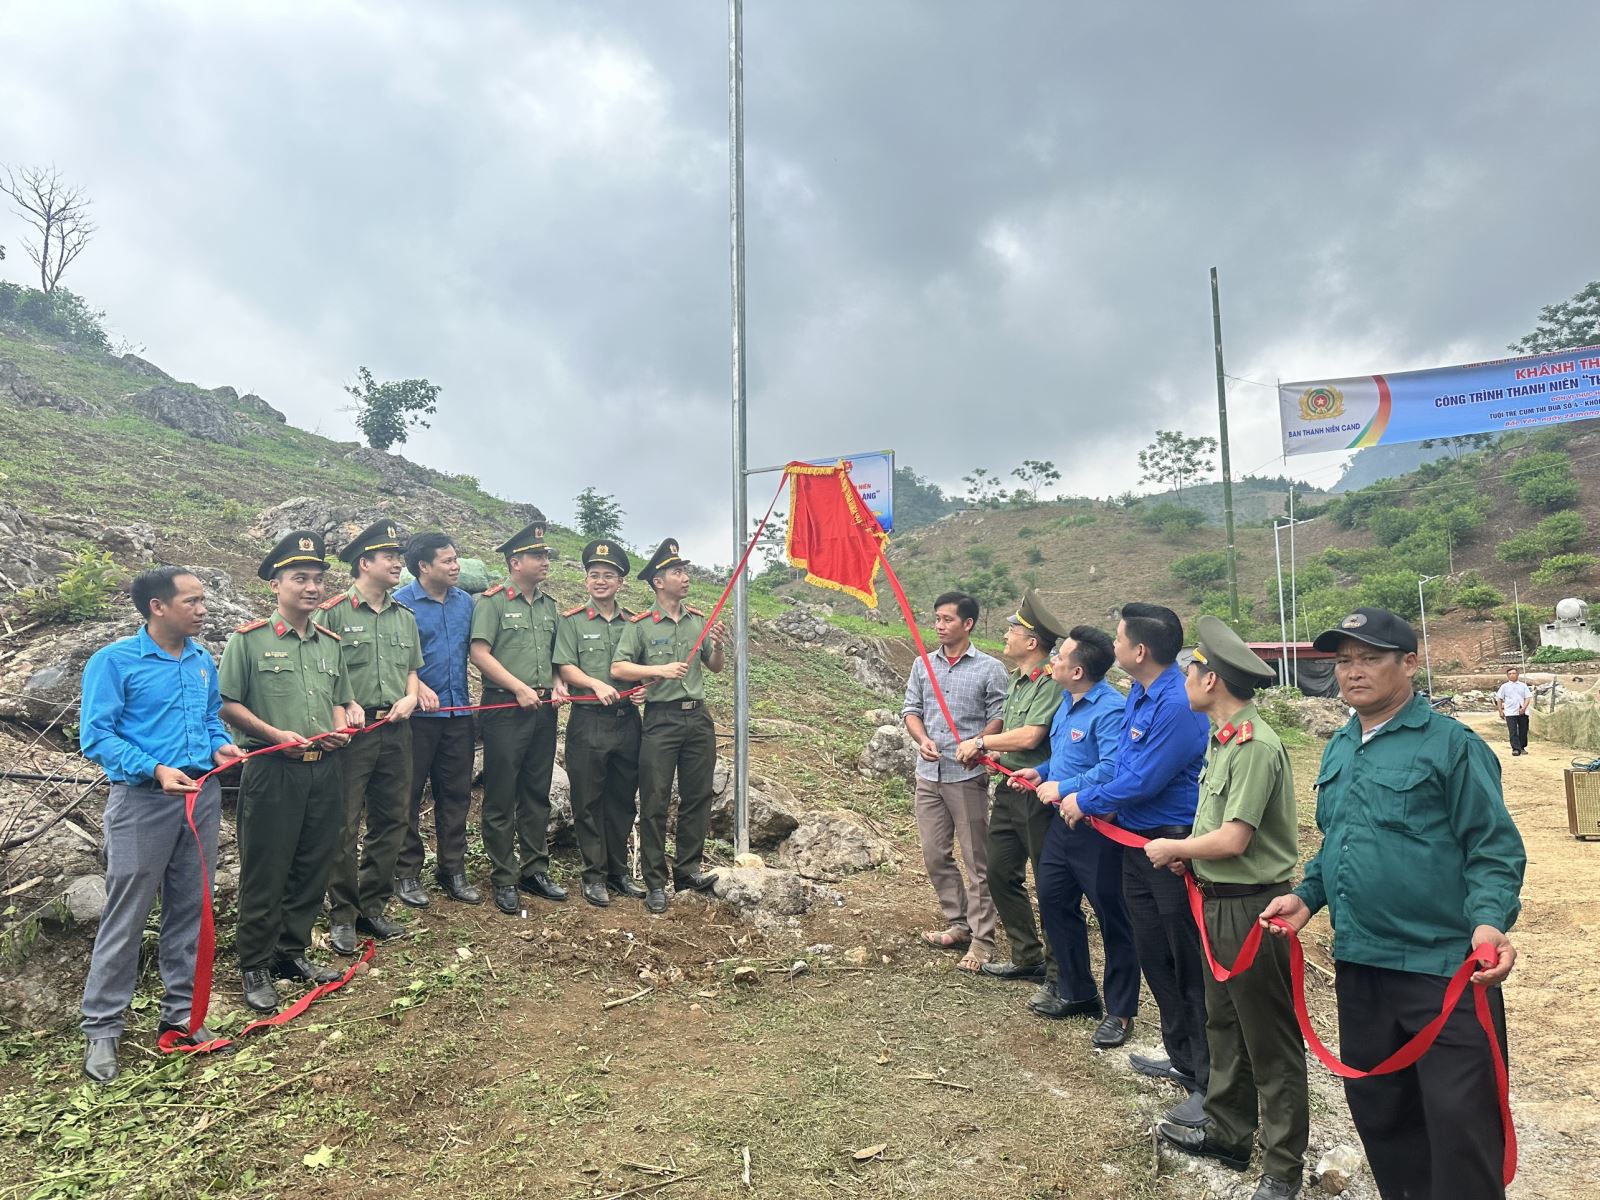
(1169, 945)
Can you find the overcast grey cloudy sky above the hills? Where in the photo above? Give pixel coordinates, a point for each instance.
(978, 233)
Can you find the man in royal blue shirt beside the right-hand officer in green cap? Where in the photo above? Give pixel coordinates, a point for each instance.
(1154, 793)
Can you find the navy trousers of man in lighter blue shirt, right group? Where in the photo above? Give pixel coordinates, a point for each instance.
(1079, 863)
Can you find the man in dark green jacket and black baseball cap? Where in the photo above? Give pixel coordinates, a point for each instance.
(1420, 865)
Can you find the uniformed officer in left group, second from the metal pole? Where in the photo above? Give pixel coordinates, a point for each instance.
(602, 735)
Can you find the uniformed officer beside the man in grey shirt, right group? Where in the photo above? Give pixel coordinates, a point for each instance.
(1018, 822)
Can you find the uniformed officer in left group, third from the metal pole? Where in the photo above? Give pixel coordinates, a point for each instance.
(513, 642)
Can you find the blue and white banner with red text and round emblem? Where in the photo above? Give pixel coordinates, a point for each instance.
(1375, 410)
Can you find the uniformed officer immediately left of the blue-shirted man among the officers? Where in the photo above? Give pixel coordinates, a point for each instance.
(380, 652)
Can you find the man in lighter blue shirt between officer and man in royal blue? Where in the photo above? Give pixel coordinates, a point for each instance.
(1078, 863)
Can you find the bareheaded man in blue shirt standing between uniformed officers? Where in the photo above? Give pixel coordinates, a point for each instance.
(441, 742)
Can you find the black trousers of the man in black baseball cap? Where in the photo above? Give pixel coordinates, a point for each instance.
(1433, 1132)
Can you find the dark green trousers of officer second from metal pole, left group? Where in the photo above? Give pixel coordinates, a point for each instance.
(602, 764)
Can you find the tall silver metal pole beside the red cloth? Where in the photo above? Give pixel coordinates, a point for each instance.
(742, 518)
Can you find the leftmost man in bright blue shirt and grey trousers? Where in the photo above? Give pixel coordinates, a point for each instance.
(151, 719)
